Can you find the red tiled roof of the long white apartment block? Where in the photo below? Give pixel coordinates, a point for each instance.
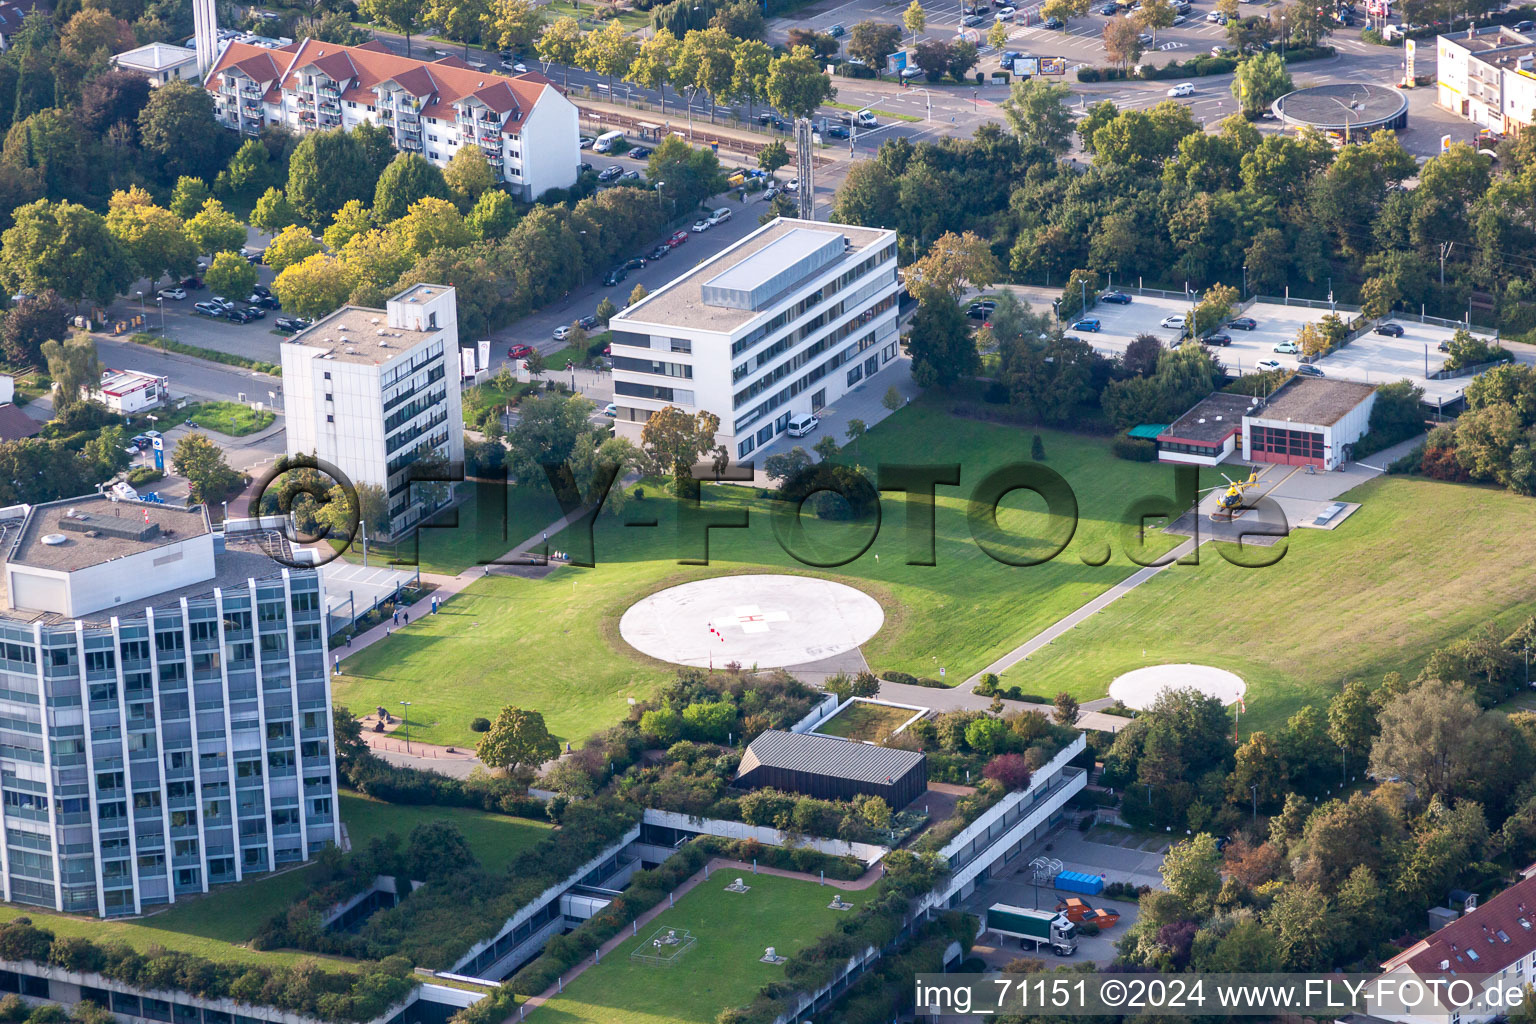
(365, 68)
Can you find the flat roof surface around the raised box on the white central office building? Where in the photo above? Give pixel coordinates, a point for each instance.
(680, 303)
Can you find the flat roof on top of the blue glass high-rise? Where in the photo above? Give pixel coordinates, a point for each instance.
(98, 530)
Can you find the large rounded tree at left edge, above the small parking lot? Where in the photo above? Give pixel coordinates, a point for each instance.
(64, 248)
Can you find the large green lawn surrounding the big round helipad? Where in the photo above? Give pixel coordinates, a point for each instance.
(554, 644)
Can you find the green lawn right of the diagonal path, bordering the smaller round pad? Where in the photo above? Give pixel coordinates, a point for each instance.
(1420, 566)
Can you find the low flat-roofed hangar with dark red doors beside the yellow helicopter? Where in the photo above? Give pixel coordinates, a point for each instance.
(1309, 421)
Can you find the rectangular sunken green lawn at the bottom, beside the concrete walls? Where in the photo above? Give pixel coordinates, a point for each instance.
(721, 971)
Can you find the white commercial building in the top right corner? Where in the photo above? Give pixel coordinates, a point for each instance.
(1489, 78)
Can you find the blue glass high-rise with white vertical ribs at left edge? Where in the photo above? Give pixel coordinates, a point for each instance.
(165, 710)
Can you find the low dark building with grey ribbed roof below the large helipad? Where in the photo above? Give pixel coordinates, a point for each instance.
(832, 768)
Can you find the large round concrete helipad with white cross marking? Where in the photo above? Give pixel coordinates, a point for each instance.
(756, 621)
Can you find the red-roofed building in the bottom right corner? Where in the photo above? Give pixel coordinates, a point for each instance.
(1494, 945)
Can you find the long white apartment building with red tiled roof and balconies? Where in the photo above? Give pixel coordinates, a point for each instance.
(523, 125)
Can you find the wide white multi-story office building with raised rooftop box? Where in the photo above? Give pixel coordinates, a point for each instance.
(784, 322)
